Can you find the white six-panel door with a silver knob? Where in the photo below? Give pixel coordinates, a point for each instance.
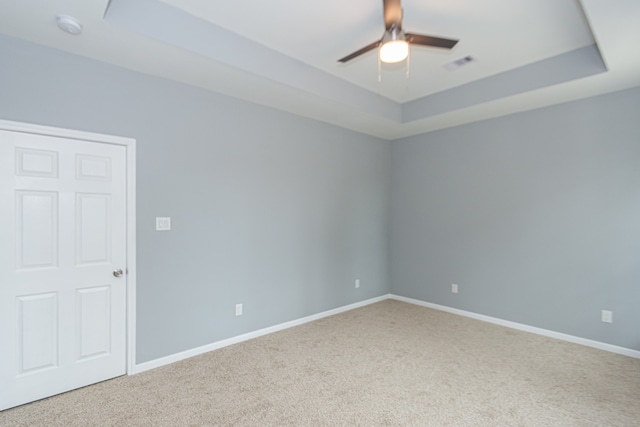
(62, 236)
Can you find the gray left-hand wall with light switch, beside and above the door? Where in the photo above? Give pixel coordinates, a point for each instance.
(268, 209)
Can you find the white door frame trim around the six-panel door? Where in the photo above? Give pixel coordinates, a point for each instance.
(130, 147)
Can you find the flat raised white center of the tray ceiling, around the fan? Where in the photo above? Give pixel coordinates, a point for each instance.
(318, 33)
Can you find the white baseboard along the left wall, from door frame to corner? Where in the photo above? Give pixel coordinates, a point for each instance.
(156, 363)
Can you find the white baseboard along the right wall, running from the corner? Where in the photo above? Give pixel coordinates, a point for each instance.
(519, 326)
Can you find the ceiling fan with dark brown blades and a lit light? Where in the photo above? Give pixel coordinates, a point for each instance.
(394, 45)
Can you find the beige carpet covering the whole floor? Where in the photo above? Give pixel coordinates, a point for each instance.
(387, 364)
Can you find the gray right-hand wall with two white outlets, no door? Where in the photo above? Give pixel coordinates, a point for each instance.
(536, 216)
